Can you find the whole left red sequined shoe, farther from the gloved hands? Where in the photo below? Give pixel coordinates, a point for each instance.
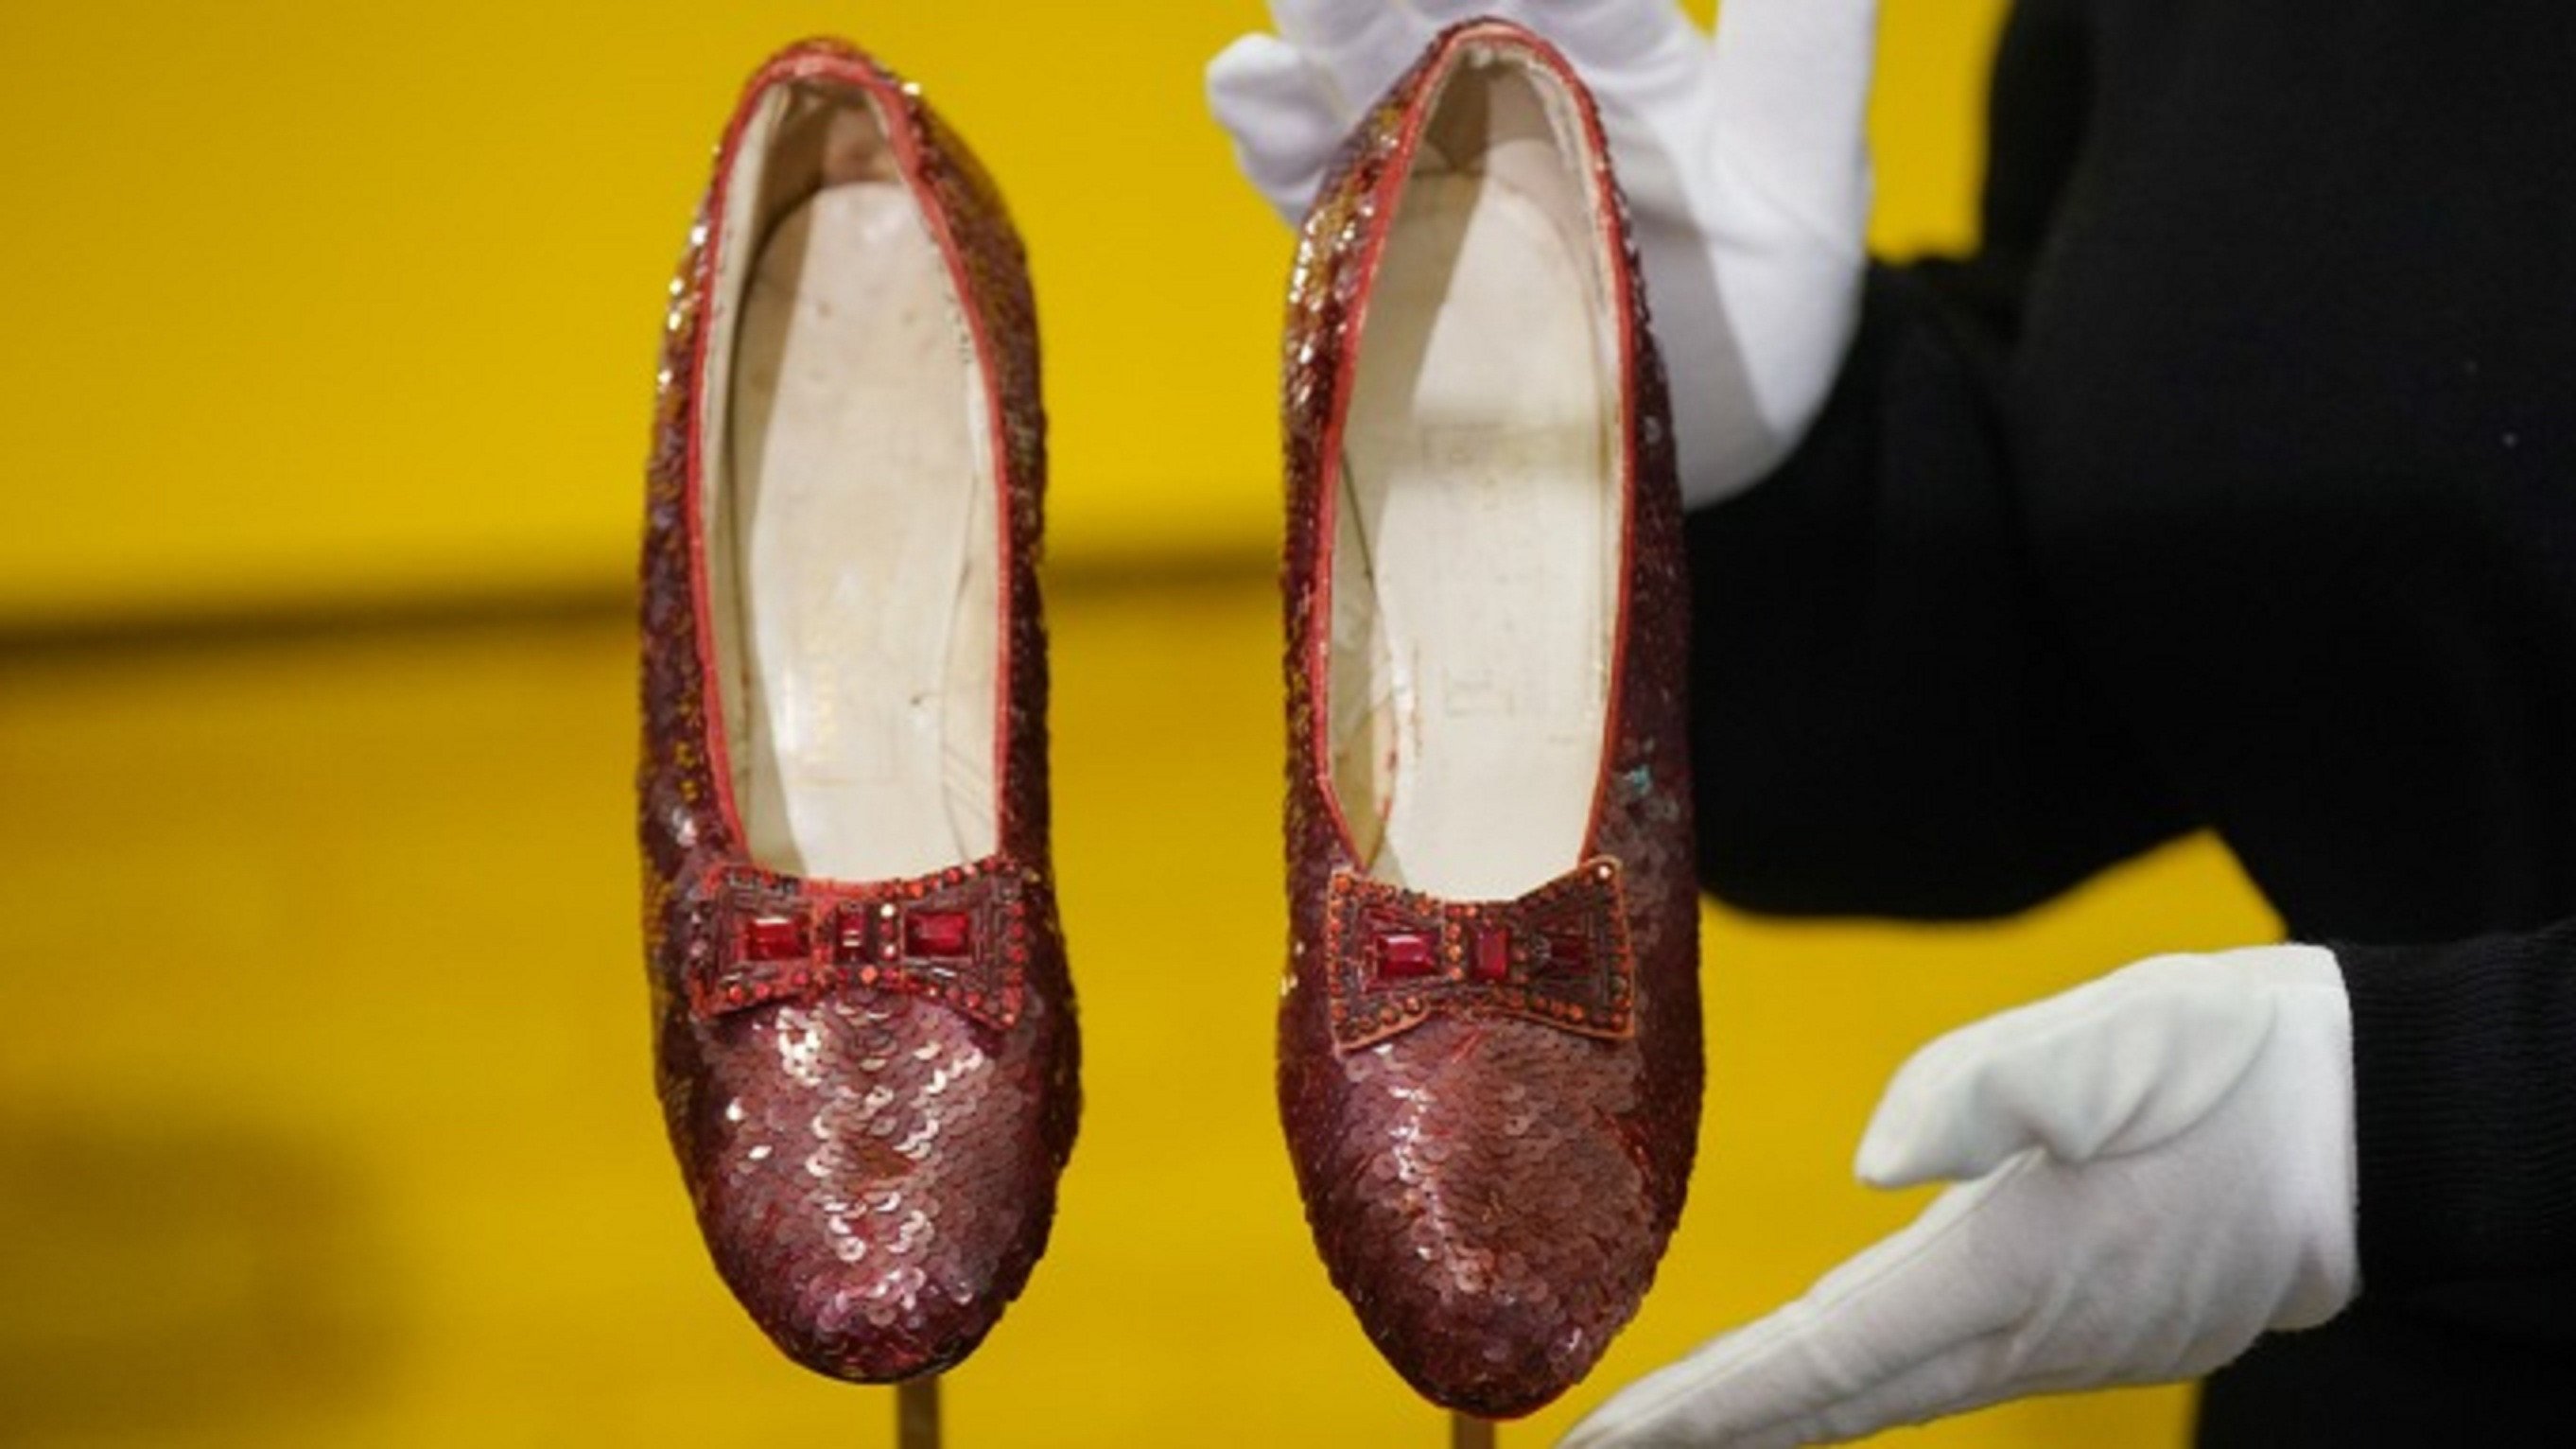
(864, 1027)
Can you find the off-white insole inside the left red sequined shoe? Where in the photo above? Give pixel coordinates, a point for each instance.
(864, 550)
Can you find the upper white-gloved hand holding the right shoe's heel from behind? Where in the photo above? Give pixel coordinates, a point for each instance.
(1743, 159)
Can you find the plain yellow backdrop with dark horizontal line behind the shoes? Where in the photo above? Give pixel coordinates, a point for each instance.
(323, 1092)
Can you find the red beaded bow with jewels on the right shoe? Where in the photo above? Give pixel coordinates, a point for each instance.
(1557, 955)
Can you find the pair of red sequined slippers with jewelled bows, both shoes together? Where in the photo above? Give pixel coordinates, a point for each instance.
(1490, 1045)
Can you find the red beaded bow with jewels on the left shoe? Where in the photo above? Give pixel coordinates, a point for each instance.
(957, 937)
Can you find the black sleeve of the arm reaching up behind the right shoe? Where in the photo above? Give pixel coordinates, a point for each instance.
(1884, 718)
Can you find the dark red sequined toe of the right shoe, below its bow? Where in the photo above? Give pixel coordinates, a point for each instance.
(1485, 1208)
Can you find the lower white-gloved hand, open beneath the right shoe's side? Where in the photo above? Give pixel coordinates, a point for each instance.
(2163, 1169)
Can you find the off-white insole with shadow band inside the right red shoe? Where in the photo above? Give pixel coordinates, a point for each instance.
(1475, 550)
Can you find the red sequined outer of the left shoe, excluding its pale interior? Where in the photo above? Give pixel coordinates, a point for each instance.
(872, 1141)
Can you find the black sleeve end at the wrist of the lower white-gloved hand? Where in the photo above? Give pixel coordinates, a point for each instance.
(2464, 1079)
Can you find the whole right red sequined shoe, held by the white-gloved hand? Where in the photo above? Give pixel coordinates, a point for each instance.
(1490, 1038)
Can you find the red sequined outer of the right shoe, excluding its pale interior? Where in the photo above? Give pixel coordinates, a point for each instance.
(1490, 1167)
